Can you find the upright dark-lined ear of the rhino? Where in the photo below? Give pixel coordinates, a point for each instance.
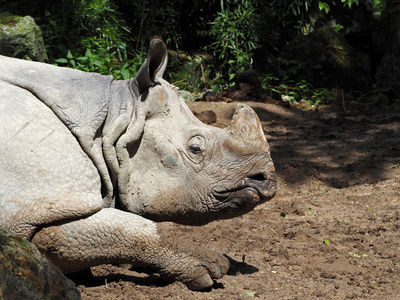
(153, 67)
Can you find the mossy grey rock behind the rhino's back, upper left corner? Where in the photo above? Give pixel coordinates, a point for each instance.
(20, 37)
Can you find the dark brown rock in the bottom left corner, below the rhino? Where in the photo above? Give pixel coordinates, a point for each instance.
(26, 274)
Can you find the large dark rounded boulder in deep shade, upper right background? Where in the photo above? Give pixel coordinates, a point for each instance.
(325, 59)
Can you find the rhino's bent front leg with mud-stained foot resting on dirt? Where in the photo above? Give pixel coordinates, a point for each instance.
(113, 236)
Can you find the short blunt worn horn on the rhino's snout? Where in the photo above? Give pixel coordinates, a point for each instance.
(246, 124)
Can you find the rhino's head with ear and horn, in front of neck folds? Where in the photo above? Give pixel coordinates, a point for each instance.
(182, 170)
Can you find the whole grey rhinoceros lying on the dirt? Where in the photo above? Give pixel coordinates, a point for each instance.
(91, 167)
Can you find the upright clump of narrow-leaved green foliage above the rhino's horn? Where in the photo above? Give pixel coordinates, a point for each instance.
(234, 30)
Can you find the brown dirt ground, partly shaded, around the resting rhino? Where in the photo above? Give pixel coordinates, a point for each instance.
(331, 232)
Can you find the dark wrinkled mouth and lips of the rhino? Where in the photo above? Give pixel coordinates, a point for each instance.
(251, 192)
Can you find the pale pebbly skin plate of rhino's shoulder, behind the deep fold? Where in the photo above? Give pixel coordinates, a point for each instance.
(45, 176)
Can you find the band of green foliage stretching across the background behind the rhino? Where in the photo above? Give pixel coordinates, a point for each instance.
(111, 37)
